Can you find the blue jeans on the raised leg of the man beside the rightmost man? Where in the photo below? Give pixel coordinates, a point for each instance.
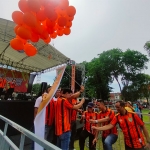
(109, 141)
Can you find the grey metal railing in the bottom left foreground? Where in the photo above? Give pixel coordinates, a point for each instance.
(7, 144)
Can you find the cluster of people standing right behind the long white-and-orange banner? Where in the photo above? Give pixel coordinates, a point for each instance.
(61, 114)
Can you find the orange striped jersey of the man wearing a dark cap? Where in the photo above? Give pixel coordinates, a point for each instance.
(87, 124)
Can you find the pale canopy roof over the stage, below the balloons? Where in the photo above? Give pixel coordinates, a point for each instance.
(21, 61)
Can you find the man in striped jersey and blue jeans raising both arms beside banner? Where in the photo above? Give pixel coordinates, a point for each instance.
(63, 117)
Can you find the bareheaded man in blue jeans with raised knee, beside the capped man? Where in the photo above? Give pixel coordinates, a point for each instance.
(105, 116)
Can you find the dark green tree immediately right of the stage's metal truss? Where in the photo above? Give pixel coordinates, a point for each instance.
(96, 82)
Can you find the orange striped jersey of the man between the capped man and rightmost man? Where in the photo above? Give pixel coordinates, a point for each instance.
(108, 113)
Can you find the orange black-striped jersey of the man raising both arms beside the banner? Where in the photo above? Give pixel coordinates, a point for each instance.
(62, 116)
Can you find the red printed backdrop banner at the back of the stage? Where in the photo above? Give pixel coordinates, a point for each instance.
(22, 79)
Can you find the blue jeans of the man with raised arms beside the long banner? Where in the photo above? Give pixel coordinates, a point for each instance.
(63, 140)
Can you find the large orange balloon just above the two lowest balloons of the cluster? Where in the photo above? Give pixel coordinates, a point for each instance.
(24, 33)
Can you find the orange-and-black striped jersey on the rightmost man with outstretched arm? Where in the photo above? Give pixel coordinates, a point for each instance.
(130, 124)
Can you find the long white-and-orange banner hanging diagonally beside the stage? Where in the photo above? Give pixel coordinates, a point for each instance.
(39, 121)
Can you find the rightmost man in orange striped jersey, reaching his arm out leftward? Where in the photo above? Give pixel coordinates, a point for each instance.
(131, 126)
